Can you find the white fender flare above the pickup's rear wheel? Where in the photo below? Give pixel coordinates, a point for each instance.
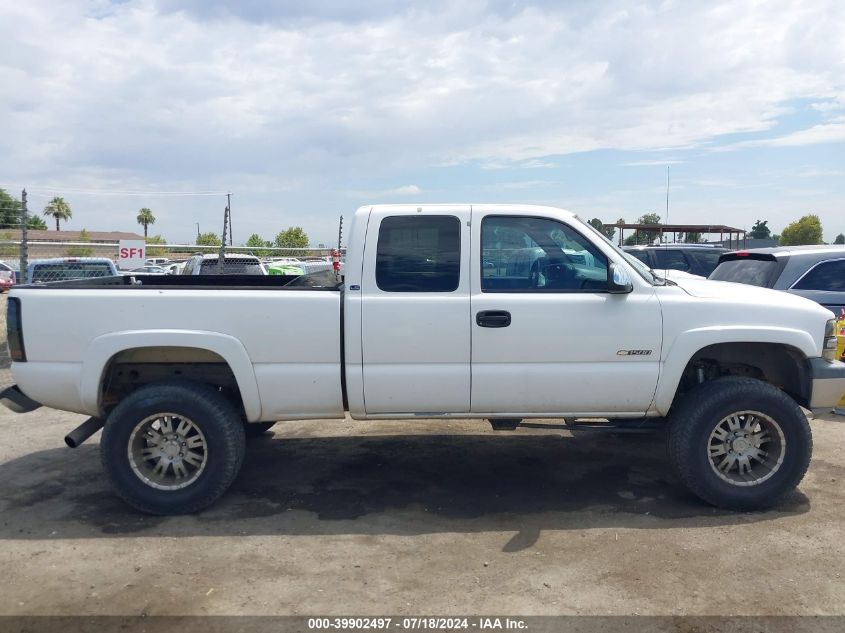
(103, 348)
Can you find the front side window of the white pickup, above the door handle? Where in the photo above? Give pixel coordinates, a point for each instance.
(523, 254)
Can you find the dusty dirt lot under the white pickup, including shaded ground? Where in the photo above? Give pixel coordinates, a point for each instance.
(434, 517)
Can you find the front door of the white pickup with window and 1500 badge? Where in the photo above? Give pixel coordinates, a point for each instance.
(547, 336)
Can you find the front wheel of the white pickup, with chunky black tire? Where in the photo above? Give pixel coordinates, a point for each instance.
(739, 443)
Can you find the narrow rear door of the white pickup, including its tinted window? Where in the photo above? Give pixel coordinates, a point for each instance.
(415, 333)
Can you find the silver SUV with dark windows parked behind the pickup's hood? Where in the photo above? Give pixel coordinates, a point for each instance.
(814, 272)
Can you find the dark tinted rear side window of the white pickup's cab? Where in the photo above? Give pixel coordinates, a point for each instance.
(419, 254)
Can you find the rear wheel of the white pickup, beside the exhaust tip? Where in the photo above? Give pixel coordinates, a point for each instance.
(172, 448)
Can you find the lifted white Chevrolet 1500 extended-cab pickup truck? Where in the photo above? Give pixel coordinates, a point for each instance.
(446, 311)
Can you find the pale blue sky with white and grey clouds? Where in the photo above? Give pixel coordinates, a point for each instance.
(306, 110)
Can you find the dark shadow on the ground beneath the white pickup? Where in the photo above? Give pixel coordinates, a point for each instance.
(404, 485)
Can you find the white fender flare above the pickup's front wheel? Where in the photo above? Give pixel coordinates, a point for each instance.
(688, 343)
